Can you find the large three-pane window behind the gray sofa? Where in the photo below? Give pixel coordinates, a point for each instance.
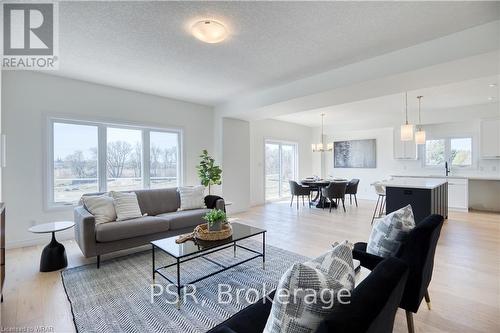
(88, 157)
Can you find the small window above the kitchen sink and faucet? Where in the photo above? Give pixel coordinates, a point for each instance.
(456, 151)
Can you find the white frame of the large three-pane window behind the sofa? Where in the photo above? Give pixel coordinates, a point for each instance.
(48, 184)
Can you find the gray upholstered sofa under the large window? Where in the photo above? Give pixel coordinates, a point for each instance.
(162, 220)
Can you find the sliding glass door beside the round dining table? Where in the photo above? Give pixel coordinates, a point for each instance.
(280, 168)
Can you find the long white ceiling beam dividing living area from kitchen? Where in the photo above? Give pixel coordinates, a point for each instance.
(461, 56)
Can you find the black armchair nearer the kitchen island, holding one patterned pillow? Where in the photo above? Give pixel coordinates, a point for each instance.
(418, 253)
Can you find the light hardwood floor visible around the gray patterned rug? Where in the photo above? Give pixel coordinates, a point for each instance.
(465, 288)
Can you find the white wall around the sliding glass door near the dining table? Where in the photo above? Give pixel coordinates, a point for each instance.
(262, 130)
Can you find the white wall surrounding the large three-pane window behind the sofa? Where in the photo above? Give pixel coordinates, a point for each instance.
(27, 96)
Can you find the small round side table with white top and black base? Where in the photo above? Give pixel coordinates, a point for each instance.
(54, 254)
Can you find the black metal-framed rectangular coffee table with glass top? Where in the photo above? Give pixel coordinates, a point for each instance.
(191, 250)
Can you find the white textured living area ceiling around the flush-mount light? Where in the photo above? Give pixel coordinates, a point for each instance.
(146, 46)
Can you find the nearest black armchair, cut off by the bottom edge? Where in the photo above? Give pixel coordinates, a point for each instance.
(372, 309)
